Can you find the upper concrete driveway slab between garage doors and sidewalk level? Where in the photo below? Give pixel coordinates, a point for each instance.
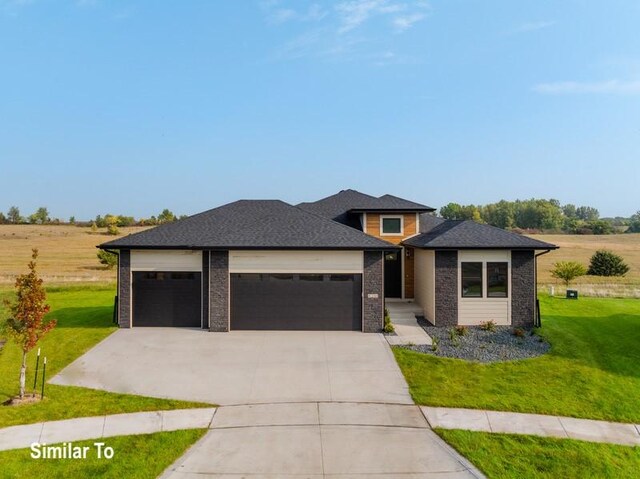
(243, 367)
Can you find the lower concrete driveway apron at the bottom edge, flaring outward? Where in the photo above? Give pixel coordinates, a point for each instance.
(320, 440)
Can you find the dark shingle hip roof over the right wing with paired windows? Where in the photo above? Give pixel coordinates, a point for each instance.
(452, 234)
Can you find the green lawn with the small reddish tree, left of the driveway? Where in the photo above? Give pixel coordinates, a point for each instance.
(84, 318)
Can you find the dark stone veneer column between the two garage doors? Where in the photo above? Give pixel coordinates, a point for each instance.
(219, 291)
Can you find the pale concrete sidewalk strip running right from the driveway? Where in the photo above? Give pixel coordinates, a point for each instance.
(533, 424)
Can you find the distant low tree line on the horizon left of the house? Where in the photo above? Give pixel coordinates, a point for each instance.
(42, 217)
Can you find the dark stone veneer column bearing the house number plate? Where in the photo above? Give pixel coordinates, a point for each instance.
(373, 284)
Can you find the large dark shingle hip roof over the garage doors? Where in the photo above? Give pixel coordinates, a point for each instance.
(251, 224)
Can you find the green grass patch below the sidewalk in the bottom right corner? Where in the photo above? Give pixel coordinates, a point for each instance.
(511, 456)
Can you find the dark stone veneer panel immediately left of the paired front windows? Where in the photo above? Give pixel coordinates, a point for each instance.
(446, 288)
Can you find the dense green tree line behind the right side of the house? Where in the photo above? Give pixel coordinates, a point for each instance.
(542, 215)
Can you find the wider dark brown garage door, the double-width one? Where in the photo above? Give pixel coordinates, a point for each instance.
(324, 302)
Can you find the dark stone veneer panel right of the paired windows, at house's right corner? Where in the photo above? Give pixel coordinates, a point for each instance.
(523, 288)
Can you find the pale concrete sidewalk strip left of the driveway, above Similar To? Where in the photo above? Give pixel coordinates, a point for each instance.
(80, 429)
